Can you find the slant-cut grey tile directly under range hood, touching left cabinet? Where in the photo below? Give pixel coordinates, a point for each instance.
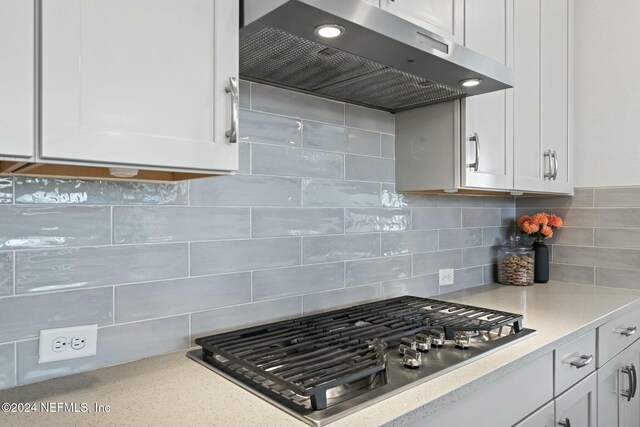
(294, 104)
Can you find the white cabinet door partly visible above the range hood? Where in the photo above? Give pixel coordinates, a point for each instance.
(443, 17)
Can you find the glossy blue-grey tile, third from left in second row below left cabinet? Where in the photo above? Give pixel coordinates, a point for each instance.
(273, 222)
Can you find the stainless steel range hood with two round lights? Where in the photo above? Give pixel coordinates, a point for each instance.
(380, 61)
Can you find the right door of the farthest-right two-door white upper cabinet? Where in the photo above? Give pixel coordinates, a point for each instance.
(555, 91)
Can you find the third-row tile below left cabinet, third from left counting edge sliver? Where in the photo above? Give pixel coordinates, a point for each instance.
(244, 255)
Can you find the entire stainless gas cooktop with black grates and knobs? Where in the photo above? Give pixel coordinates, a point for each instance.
(322, 367)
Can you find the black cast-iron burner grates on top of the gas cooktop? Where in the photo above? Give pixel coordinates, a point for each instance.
(298, 361)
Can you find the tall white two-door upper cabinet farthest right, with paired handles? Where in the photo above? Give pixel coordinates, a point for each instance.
(542, 95)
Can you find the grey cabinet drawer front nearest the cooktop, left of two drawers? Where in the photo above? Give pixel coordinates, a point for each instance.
(574, 361)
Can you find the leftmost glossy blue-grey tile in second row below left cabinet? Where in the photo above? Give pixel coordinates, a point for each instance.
(33, 227)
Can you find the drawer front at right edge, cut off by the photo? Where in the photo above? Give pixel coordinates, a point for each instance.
(617, 334)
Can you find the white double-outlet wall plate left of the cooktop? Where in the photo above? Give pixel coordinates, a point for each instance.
(67, 343)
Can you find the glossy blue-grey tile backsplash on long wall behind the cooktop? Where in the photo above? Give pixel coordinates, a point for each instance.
(310, 223)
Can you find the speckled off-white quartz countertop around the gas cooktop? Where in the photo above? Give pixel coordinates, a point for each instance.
(172, 390)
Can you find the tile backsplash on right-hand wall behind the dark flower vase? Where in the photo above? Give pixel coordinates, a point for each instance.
(600, 244)
